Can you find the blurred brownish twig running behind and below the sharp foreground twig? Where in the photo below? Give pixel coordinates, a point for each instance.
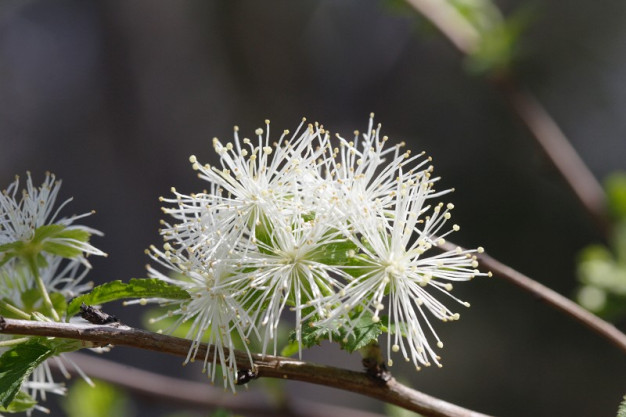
(200, 394)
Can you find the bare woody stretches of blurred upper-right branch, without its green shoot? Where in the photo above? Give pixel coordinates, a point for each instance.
(535, 117)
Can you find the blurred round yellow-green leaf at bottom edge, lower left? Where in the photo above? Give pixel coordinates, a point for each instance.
(102, 401)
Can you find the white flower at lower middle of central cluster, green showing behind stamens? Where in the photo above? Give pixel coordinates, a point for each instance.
(293, 266)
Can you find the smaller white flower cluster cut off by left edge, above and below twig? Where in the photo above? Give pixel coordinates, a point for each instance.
(30, 226)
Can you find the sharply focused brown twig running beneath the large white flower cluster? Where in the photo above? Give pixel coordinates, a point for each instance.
(266, 366)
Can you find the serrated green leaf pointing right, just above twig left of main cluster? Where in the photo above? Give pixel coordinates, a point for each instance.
(135, 288)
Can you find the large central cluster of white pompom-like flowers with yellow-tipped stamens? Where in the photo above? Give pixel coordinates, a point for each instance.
(330, 228)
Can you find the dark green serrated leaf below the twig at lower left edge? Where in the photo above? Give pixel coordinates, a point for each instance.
(17, 363)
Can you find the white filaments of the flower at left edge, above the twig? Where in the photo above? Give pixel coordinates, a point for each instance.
(22, 214)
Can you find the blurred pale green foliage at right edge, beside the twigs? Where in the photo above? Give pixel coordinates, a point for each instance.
(602, 269)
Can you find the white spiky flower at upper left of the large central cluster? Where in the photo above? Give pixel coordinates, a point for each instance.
(255, 177)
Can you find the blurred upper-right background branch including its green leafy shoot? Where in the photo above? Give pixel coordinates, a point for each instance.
(478, 30)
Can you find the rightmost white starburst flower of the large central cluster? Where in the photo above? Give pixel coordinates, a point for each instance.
(393, 262)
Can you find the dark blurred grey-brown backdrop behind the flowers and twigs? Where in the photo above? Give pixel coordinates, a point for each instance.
(113, 96)
